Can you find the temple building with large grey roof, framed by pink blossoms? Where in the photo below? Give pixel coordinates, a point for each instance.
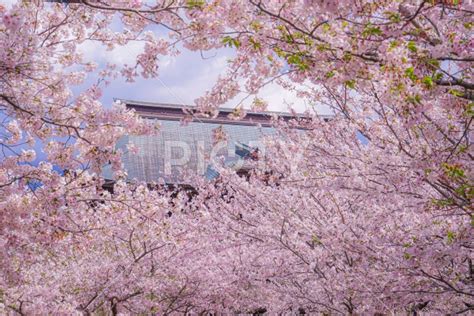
(197, 146)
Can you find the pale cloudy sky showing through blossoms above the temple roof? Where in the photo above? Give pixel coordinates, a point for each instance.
(181, 79)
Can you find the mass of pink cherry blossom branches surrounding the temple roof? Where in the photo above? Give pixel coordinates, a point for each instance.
(370, 212)
